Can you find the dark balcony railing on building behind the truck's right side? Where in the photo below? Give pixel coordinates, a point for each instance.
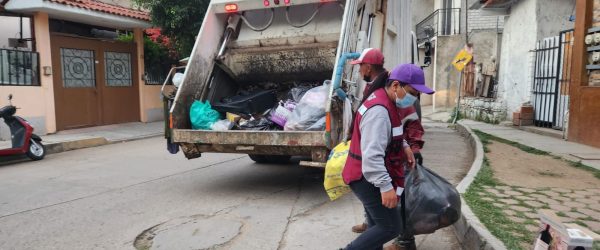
(442, 22)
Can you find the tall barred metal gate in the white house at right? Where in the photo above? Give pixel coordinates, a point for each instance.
(552, 74)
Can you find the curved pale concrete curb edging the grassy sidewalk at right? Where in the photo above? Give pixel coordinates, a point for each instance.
(471, 233)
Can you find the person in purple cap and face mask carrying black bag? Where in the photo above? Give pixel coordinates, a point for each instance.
(379, 153)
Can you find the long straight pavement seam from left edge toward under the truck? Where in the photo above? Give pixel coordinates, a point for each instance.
(120, 188)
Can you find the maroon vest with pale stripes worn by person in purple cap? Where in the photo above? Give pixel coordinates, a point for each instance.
(394, 155)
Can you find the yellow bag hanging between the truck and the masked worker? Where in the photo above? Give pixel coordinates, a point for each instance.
(334, 183)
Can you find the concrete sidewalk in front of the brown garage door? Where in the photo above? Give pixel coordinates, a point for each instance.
(97, 136)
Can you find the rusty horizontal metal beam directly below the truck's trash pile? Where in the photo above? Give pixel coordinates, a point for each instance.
(263, 138)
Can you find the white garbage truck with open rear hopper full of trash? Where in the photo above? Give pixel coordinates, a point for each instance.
(256, 60)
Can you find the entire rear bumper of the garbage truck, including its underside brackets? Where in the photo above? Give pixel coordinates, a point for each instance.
(195, 142)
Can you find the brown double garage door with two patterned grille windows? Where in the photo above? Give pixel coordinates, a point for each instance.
(94, 82)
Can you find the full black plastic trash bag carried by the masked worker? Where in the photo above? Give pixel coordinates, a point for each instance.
(431, 202)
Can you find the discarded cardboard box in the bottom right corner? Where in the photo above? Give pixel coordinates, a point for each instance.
(563, 236)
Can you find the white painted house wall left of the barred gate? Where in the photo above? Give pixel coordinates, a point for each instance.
(529, 21)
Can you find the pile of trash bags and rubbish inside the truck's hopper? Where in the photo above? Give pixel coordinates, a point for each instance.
(302, 109)
